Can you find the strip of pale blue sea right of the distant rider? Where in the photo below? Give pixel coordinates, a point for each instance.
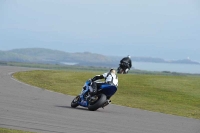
(181, 68)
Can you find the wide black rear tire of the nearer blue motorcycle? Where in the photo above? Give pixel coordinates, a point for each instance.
(99, 103)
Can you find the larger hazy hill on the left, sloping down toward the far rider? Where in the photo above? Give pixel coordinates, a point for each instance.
(41, 55)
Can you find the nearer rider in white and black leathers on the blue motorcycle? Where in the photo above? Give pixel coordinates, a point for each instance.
(110, 78)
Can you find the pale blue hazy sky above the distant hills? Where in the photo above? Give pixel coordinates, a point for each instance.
(168, 29)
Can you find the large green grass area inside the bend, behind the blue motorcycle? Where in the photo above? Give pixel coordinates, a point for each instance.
(177, 95)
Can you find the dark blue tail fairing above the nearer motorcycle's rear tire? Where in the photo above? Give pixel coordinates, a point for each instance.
(108, 90)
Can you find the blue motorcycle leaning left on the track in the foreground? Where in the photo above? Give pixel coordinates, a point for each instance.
(100, 100)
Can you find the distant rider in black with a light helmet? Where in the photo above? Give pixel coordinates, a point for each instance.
(126, 63)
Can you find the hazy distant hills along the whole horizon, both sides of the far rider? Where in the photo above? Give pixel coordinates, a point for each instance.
(41, 55)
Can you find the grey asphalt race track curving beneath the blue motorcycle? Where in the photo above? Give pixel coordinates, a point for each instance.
(34, 109)
